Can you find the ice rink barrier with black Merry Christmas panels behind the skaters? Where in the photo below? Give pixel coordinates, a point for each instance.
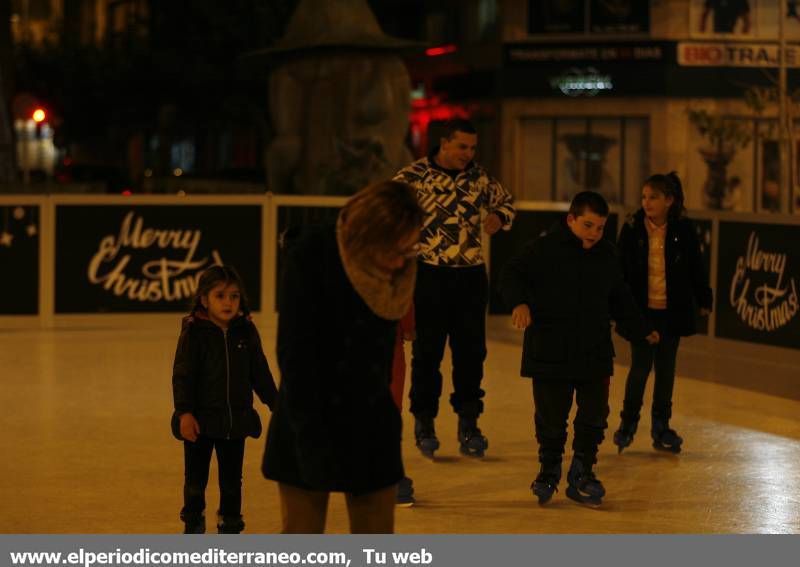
(753, 259)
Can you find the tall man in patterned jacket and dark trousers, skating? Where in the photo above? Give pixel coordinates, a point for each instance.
(452, 287)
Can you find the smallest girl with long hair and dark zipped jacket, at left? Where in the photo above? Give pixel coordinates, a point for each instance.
(218, 363)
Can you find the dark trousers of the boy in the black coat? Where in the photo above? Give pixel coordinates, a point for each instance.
(553, 401)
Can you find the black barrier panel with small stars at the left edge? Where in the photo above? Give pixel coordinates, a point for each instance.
(19, 259)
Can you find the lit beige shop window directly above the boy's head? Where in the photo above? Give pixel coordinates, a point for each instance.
(563, 156)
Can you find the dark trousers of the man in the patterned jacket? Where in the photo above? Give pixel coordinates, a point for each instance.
(449, 302)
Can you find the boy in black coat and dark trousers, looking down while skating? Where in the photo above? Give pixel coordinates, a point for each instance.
(565, 288)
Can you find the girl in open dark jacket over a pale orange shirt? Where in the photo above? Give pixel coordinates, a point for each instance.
(662, 264)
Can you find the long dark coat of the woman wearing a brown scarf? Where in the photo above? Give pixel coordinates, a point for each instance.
(335, 427)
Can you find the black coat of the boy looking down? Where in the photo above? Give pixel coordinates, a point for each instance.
(573, 294)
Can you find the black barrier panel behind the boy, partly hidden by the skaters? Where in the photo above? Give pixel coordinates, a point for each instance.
(528, 225)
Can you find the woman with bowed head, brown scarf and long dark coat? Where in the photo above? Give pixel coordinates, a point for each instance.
(336, 427)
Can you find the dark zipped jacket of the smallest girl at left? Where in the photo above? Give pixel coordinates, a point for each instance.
(214, 375)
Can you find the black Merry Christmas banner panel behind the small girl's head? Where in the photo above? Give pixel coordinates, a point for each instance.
(148, 258)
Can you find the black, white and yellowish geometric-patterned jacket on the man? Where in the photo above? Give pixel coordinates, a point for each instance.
(451, 233)
